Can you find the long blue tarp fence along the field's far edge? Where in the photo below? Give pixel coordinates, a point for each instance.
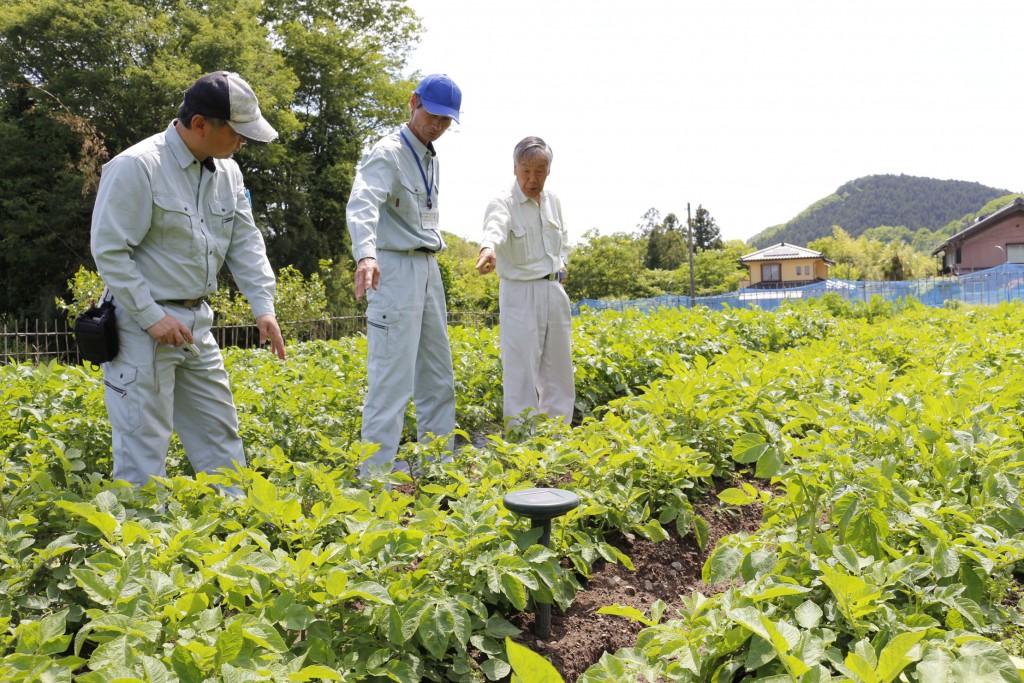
(1004, 283)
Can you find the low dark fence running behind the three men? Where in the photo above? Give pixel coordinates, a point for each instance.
(42, 341)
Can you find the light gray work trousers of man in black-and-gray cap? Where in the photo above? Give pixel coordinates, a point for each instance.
(153, 389)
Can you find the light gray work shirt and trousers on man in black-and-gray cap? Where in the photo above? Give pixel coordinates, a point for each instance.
(163, 226)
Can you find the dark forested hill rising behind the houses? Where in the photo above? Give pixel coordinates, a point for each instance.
(882, 200)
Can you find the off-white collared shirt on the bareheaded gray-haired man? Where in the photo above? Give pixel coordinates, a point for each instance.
(529, 238)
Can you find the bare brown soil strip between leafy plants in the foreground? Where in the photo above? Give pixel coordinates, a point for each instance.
(664, 571)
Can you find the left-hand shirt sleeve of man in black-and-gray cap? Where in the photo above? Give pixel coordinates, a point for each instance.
(120, 222)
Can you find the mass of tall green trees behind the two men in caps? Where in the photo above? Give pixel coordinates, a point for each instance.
(328, 76)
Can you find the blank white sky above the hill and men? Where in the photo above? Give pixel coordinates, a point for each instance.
(754, 109)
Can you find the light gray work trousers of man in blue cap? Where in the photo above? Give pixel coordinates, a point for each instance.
(409, 355)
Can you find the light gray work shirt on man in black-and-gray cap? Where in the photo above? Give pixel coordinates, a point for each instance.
(163, 226)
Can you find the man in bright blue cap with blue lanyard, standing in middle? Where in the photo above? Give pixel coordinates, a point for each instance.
(394, 222)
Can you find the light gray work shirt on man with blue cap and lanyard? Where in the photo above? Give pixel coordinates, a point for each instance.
(389, 194)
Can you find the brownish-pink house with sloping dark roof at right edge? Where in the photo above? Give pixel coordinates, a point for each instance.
(990, 242)
